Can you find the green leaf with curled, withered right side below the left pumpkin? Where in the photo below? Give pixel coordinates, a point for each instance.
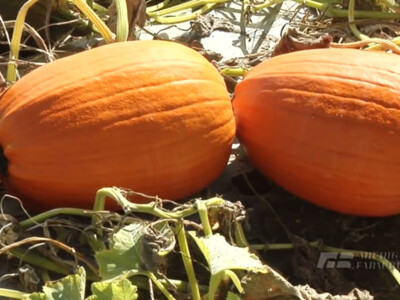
(138, 246)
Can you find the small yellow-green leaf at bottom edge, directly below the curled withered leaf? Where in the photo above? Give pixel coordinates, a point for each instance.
(119, 289)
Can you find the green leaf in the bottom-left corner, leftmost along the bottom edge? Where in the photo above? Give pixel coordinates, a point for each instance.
(69, 287)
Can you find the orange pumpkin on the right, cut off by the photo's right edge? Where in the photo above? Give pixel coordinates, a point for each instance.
(325, 125)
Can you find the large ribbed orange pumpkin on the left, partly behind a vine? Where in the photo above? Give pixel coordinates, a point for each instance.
(151, 116)
